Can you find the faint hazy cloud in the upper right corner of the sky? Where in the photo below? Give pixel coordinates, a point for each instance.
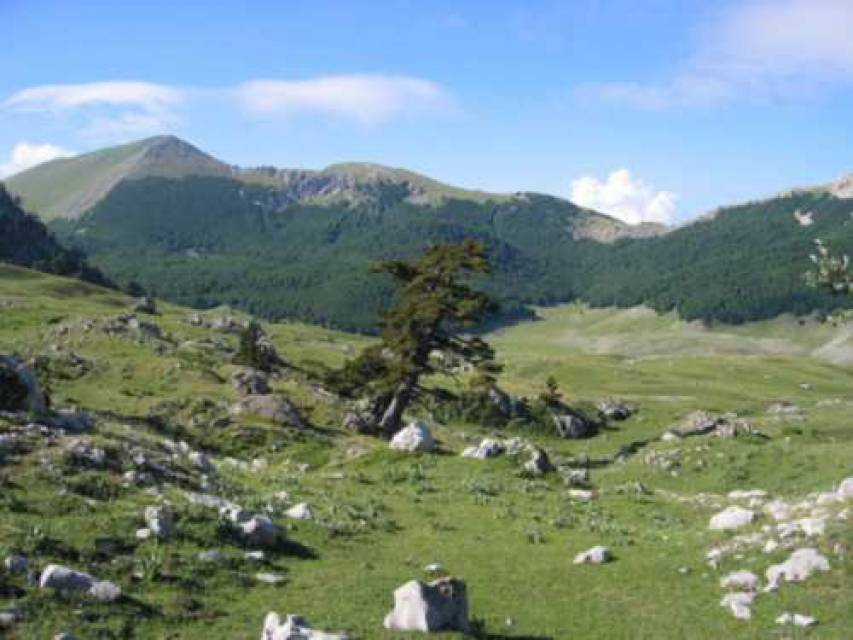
(759, 49)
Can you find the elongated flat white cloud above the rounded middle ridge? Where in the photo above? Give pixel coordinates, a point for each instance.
(366, 99)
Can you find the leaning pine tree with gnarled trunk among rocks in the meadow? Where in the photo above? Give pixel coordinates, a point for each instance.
(422, 334)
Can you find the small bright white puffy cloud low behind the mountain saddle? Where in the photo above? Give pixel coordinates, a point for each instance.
(624, 197)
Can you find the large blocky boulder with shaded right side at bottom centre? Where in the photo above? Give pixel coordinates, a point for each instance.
(441, 605)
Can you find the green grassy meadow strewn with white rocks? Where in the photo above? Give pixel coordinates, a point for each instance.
(380, 517)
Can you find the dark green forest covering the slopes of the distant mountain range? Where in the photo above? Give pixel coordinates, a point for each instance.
(211, 241)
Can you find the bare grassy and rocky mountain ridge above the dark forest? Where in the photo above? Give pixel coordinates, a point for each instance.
(171, 157)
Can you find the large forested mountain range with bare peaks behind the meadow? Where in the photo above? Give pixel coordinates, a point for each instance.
(299, 243)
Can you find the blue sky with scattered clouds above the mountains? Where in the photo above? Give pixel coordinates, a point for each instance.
(654, 110)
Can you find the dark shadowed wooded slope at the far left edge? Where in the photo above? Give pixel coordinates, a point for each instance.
(25, 241)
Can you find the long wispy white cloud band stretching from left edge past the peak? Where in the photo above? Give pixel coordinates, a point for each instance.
(120, 110)
